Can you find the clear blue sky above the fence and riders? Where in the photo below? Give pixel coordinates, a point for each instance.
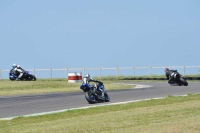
(99, 33)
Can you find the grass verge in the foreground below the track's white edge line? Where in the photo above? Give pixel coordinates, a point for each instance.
(169, 115)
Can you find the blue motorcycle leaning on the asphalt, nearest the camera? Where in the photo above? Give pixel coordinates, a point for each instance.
(95, 93)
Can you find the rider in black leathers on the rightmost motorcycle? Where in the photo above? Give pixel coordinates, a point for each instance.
(172, 75)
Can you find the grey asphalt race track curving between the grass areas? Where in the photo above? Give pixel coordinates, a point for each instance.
(32, 104)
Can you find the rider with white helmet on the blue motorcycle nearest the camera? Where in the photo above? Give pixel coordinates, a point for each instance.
(87, 79)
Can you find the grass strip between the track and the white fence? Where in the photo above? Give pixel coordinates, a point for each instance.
(48, 86)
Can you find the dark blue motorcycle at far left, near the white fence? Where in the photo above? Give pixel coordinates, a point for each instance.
(26, 76)
